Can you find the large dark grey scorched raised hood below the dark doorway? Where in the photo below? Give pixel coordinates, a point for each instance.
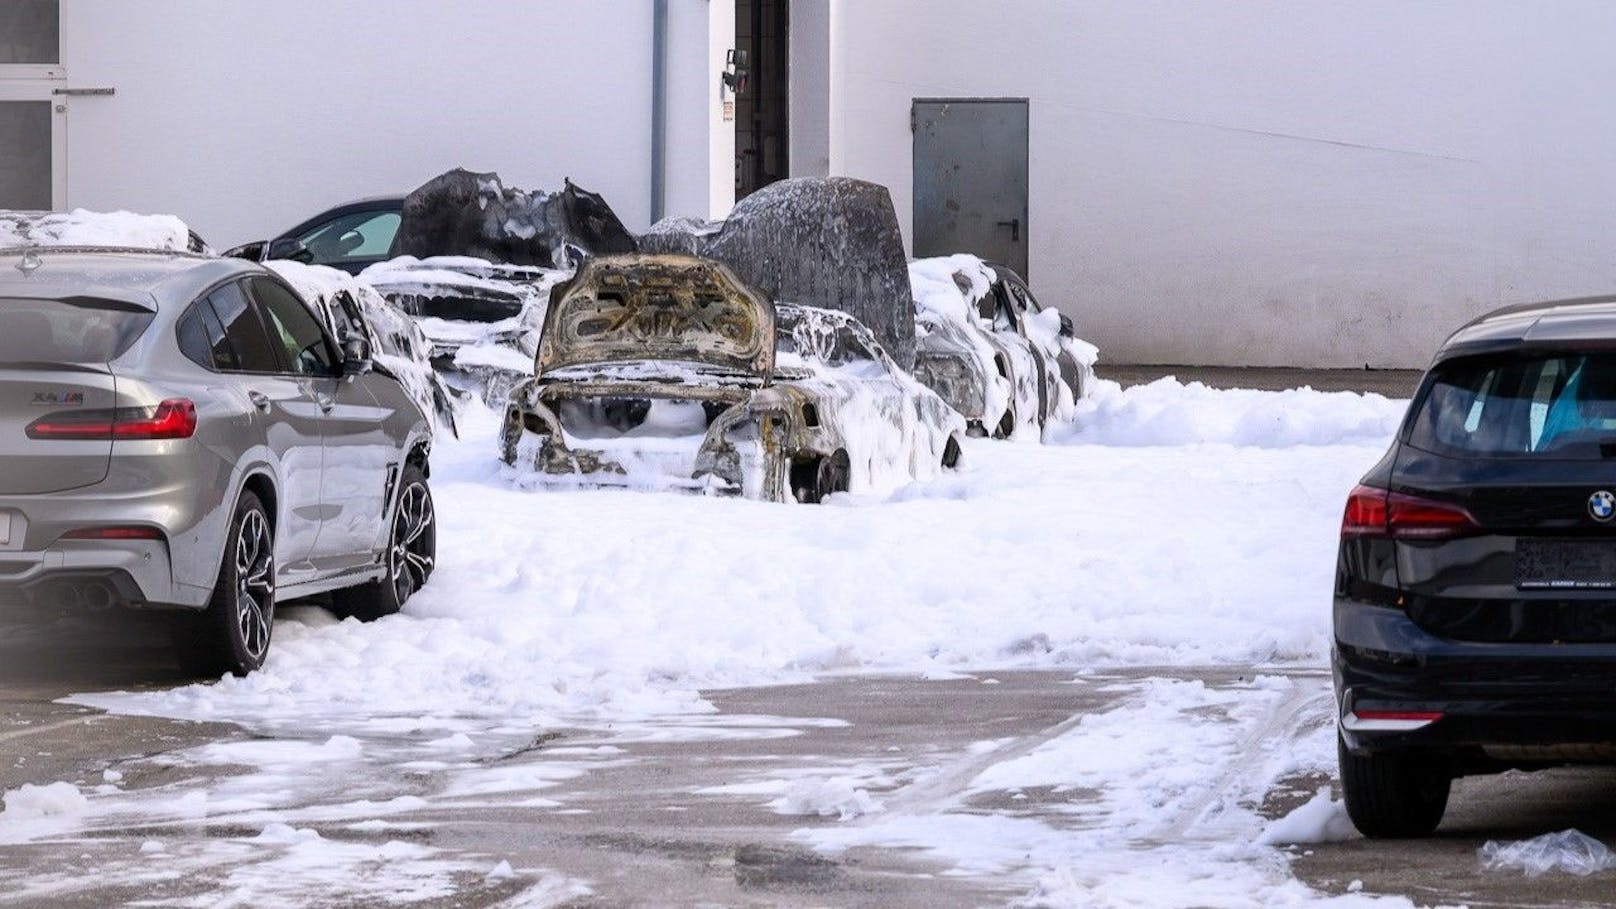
(827, 242)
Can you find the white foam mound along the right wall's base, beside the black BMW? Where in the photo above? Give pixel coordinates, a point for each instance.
(1172, 413)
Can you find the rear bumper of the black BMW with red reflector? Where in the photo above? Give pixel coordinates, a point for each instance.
(1499, 701)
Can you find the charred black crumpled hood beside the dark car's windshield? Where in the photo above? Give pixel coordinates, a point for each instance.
(476, 214)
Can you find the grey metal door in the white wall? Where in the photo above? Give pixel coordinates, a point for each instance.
(970, 179)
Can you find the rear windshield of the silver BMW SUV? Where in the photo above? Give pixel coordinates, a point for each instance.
(56, 331)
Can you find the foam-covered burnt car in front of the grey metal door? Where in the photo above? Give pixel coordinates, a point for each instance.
(991, 350)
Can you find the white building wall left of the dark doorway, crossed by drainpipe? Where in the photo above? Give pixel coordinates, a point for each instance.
(246, 117)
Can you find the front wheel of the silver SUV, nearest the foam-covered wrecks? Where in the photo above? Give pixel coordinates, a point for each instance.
(411, 554)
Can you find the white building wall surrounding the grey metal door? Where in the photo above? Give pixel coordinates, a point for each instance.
(1302, 184)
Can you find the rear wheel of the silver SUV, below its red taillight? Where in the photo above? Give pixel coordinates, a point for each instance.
(234, 633)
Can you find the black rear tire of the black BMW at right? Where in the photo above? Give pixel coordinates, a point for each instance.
(1394, 797)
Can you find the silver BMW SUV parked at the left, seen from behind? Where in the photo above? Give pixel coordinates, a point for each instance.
(180, 433)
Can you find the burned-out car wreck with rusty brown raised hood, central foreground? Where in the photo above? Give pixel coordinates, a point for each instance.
(670, 373)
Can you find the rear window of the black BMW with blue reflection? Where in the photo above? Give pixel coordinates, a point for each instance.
(1552, 407)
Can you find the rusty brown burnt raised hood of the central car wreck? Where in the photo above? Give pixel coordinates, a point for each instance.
(659, 310)
